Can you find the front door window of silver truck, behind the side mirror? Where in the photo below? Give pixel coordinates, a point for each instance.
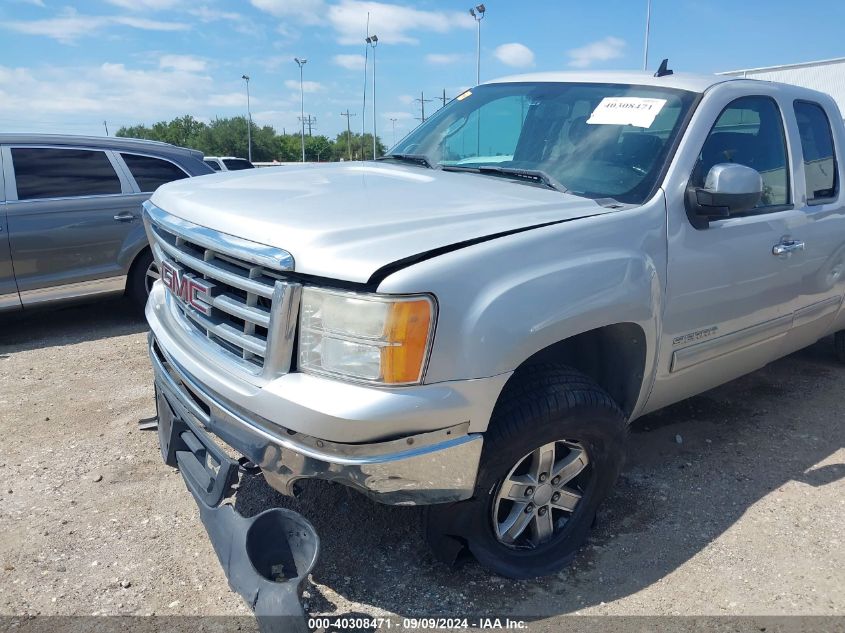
(749, 131)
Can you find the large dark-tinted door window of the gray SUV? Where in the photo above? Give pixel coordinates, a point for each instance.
(44, 172)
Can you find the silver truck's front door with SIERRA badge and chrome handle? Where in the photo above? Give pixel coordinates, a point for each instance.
(730, 297)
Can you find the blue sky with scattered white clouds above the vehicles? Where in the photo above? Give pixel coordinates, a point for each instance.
(66, 66)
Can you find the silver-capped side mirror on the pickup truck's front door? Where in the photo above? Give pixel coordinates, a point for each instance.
(728, 189)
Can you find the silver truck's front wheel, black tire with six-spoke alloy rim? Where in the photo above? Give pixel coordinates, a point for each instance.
(554, 449)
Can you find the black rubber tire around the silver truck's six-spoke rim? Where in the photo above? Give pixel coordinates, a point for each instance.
(539, 405)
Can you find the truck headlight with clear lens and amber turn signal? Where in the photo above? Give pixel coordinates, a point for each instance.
(380, 339)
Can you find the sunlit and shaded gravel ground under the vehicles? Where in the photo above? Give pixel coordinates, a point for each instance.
(732, 503)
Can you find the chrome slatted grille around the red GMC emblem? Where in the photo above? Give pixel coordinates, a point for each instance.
(254, 308)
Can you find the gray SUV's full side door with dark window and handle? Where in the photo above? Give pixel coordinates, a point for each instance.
(69, 218)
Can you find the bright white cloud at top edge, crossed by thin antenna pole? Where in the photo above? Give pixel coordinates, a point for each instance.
(392, 23)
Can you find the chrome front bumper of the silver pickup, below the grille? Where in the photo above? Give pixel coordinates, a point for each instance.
(433, 467)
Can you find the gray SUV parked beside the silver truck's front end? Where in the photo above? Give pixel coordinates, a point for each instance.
(70, 214)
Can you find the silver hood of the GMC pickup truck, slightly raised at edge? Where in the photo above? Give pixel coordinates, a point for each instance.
(346, 221)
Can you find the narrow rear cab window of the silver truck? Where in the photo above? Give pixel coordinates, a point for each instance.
(820, 169)
